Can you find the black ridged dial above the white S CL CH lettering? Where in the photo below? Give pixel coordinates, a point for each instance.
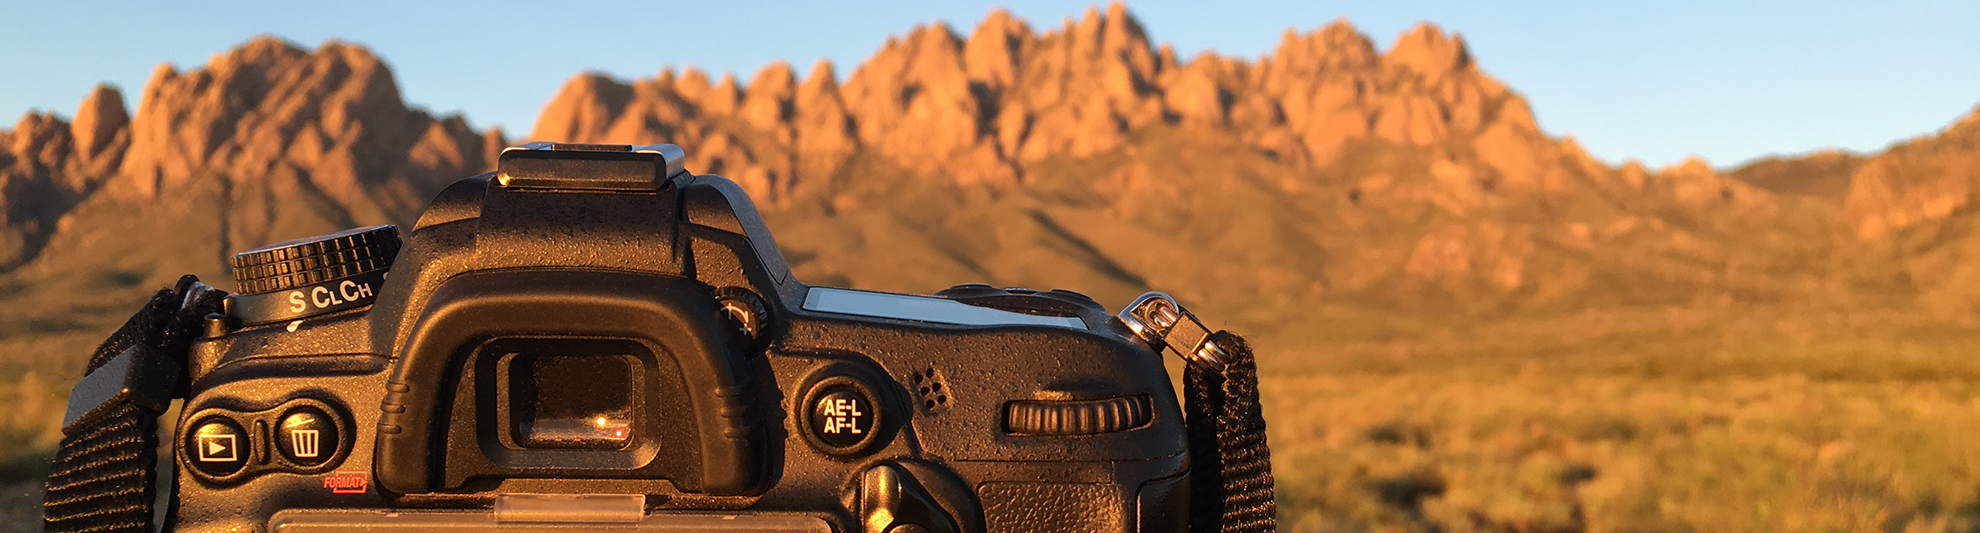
(314, 261)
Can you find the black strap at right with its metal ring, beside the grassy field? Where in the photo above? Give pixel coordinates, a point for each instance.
(1231, 465)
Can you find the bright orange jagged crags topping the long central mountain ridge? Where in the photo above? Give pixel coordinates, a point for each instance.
(985, 108)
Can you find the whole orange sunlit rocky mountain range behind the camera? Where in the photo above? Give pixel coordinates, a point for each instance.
(1324, 175)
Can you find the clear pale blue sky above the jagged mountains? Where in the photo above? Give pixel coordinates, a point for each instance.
(1629, 80)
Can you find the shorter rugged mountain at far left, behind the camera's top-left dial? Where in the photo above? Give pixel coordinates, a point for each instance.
(264, 116)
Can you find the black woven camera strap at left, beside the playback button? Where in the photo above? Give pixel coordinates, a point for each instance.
(104, 475)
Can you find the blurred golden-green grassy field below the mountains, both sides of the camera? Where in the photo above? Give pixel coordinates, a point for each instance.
(1668, 419)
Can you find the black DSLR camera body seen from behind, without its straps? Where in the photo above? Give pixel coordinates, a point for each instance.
(593, 338)
